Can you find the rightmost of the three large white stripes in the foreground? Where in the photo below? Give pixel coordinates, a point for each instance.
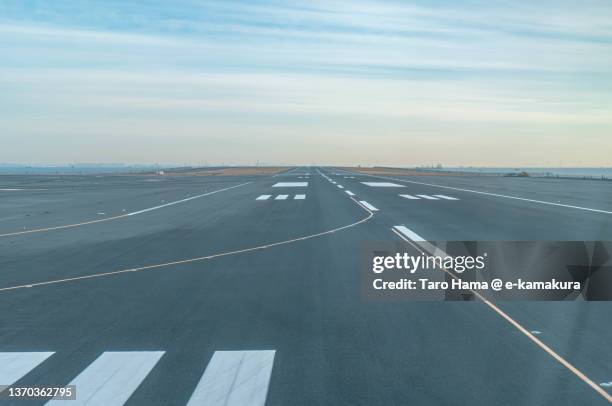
(235, 378)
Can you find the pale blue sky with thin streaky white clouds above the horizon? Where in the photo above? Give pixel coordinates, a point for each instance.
(460, 83)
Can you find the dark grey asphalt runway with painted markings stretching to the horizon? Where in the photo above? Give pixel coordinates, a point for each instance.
(246, 290)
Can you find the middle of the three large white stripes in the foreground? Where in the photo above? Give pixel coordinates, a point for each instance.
(111, 378)
